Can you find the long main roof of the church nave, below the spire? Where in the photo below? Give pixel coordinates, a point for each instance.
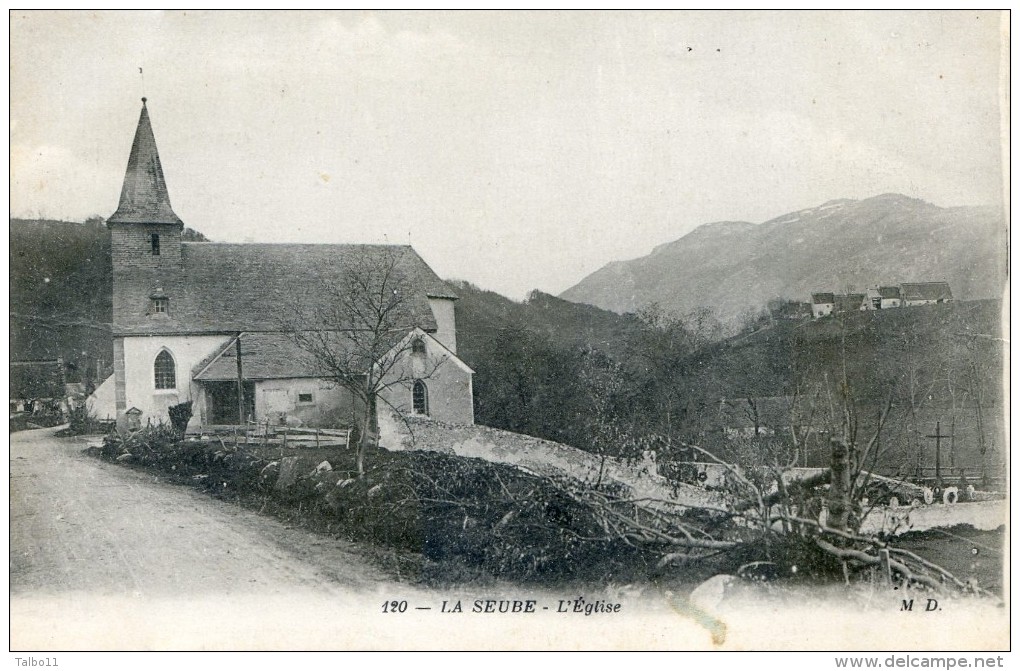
(223, 288)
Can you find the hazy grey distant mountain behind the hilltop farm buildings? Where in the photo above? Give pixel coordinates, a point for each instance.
(736, 267)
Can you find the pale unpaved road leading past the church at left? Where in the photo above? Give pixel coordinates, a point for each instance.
(80, 524)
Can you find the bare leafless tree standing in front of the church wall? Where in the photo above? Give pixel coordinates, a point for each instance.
(362, 337)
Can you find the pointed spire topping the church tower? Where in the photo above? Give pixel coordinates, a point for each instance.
(144, 198)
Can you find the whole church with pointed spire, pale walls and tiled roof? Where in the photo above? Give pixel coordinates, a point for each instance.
(216, 324)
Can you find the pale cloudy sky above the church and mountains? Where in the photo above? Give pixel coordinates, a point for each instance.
(515, 150)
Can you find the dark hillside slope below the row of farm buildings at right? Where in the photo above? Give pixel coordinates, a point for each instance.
(936, 364)
